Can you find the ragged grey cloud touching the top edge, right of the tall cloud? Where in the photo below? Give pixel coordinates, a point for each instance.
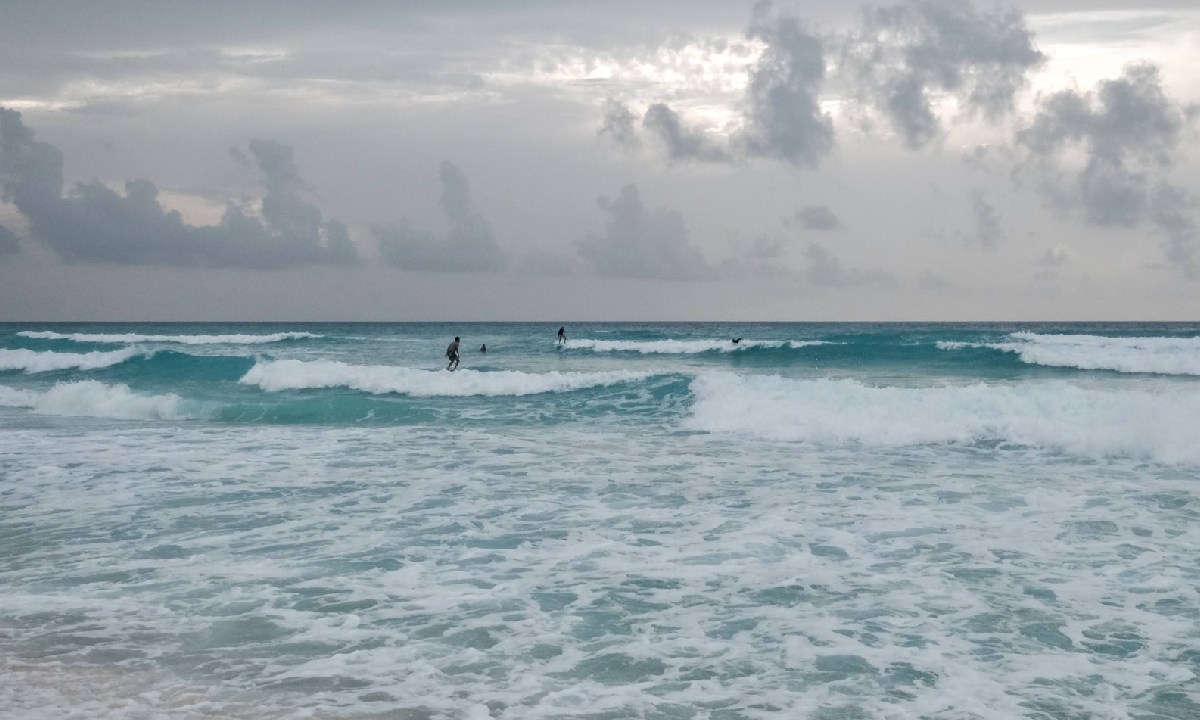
(909, 53)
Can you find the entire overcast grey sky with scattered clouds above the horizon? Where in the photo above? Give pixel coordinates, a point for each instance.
(599, 160)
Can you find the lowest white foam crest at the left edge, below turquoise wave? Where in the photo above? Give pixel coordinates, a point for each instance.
(92, 399)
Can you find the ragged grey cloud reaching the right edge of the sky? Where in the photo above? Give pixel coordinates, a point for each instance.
(1129, 133)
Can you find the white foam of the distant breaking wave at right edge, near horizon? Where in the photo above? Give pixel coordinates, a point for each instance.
(1163, 356)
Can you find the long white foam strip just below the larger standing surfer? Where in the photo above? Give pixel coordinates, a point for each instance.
(298, 375)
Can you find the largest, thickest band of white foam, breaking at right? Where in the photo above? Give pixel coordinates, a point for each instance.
(1093, 423)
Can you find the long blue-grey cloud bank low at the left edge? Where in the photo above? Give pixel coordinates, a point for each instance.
(93, 224)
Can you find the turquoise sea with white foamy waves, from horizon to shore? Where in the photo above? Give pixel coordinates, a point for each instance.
(650, 521)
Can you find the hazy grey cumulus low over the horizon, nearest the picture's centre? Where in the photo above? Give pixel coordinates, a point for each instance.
(643, 243)
